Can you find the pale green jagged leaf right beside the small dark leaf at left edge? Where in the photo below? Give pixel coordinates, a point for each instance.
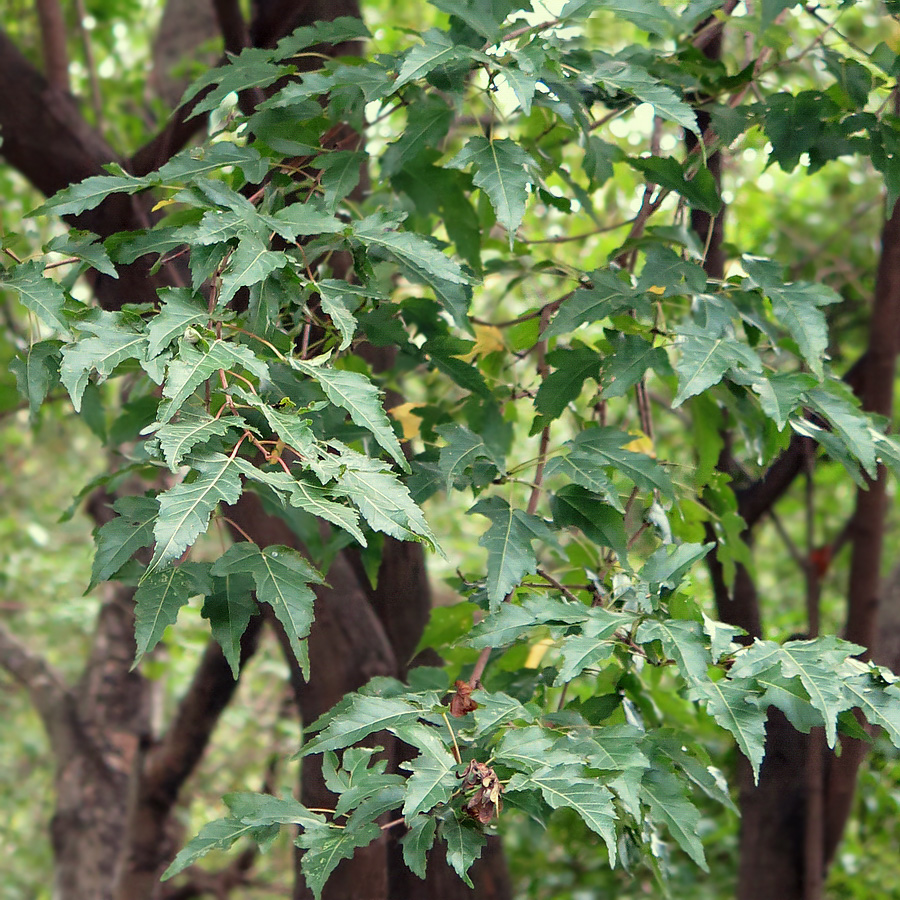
(112, 342)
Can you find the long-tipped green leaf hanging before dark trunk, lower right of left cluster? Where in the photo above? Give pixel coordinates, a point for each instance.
(282, 577)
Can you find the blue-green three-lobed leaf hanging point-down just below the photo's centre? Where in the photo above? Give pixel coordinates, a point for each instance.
(508, 542)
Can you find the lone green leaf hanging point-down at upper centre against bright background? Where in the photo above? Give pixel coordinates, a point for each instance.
(503, 171)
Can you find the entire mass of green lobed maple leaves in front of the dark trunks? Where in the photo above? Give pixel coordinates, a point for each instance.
(529, 379)
